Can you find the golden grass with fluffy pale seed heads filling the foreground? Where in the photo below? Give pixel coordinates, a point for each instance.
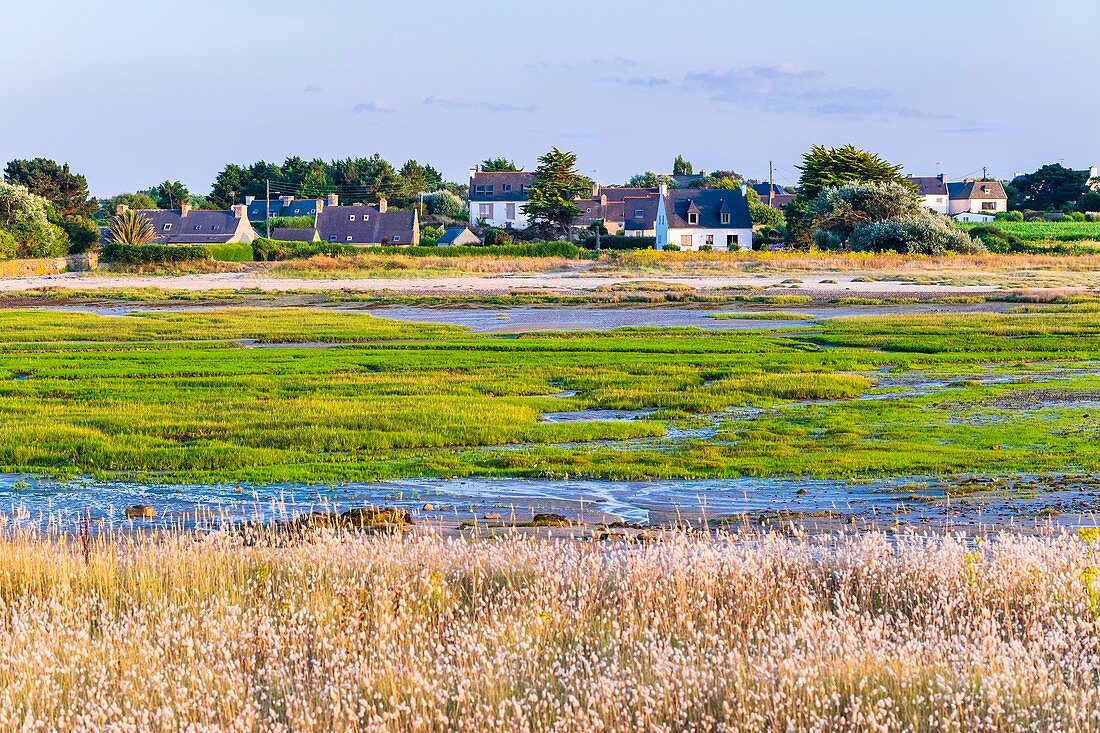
(422, 633)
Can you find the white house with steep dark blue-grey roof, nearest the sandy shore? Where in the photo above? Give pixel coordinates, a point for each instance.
(696, 218)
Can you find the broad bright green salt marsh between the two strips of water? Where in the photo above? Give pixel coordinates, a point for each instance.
(173, 397)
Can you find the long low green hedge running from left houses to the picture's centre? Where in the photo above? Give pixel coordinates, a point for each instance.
(271, 250)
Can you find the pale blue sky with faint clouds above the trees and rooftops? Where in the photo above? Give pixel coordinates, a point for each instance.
(131, 93)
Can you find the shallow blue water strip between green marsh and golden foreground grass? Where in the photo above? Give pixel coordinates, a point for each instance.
(1025, 504)
